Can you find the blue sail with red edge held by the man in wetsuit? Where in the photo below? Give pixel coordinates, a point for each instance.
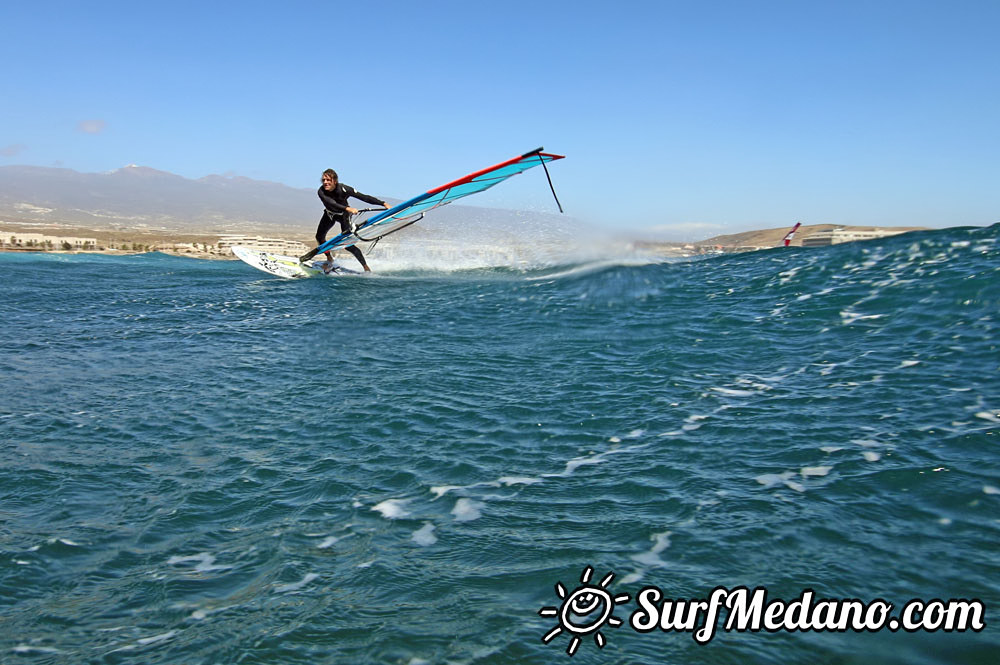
(409, 212)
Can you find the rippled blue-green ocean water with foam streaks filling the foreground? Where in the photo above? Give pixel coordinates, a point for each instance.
(200, 463)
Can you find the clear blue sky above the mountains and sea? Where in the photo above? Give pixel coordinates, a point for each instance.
(699, 117)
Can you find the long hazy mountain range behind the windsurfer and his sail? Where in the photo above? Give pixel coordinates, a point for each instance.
(141, 197)
